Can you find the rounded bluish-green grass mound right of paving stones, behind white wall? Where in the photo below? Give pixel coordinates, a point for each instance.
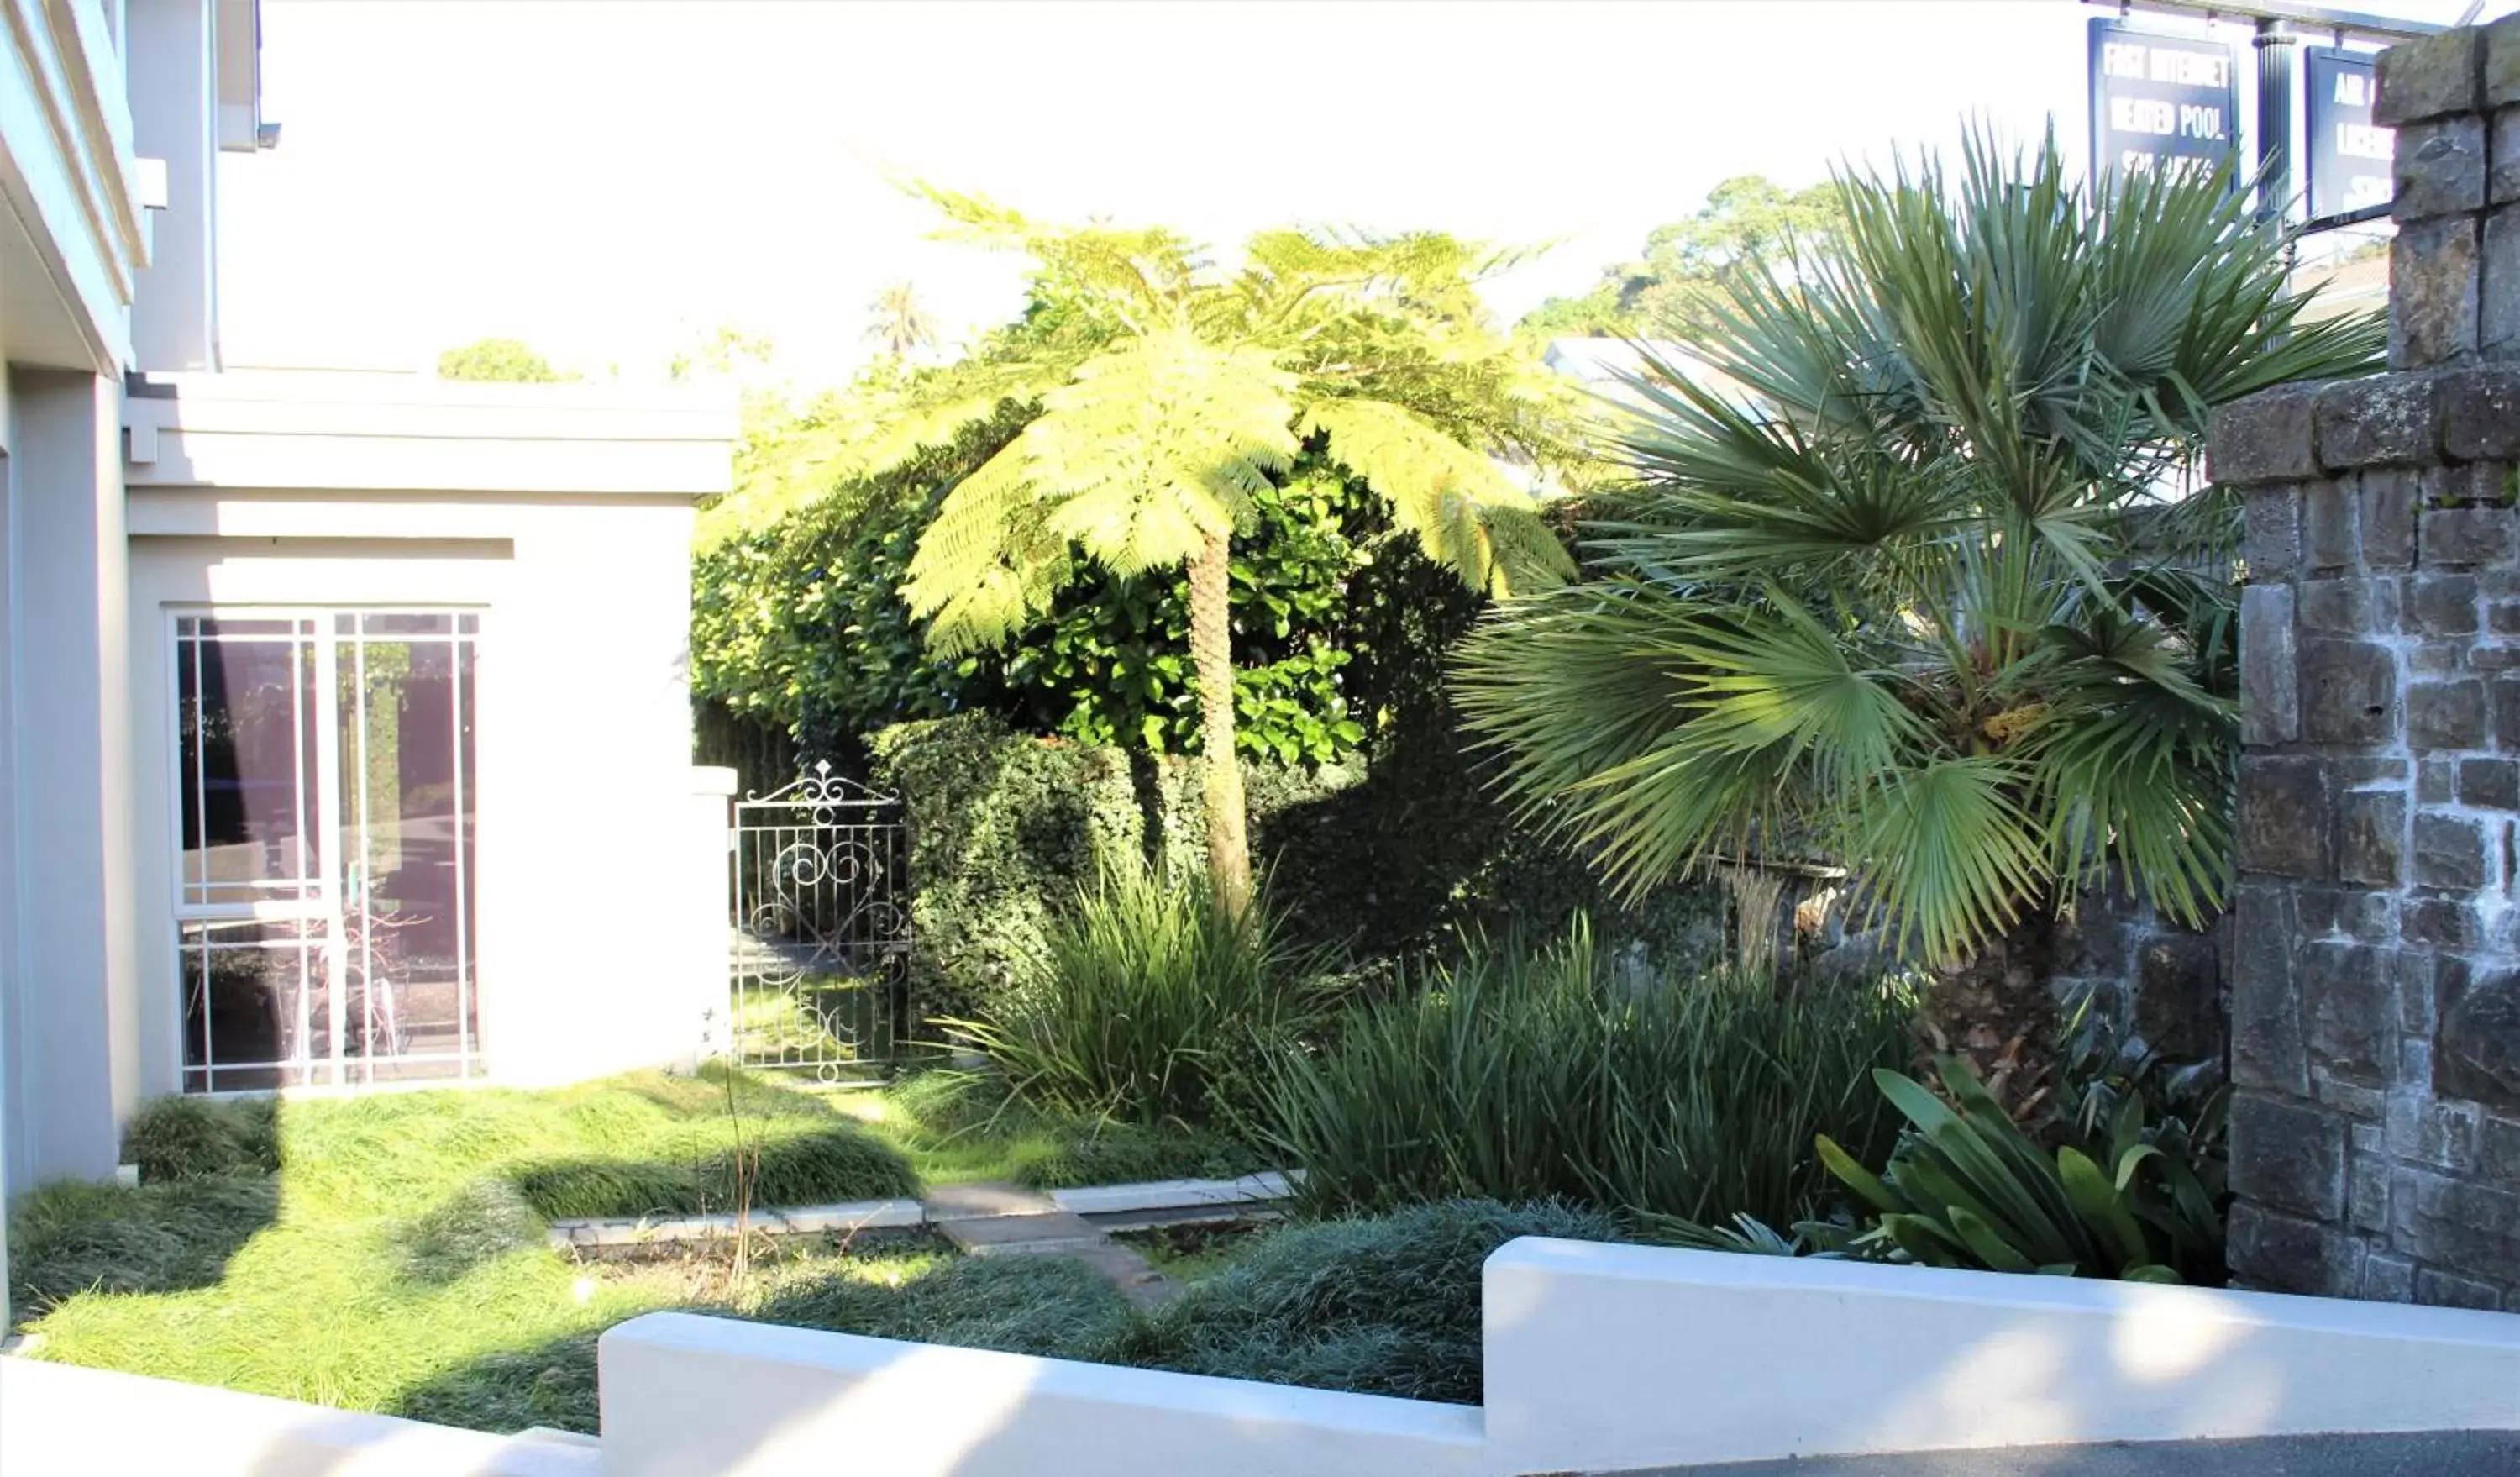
(1372, 1307)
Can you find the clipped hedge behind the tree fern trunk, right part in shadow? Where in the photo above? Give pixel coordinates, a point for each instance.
(1390, 861)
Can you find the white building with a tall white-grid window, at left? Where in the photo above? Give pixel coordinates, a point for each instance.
(346, 725)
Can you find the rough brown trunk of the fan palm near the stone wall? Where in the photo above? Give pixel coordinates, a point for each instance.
(2000, 1014)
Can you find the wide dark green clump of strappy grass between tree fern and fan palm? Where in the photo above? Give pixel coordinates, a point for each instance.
(1526, 1075)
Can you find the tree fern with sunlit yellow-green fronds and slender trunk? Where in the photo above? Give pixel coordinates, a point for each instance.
(1173, 394)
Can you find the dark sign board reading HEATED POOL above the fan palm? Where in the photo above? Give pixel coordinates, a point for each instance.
(2161, 102)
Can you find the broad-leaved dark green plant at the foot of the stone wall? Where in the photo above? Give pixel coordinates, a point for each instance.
(2136, 1196)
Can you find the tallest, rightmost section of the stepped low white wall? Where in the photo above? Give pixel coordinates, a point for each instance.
(1606, 1357)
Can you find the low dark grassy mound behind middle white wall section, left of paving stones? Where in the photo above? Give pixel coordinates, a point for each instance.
(1050, 1307)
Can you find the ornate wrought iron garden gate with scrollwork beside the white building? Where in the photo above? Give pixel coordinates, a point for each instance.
(823, 926)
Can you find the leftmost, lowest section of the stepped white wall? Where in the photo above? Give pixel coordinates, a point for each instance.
(62, 1420)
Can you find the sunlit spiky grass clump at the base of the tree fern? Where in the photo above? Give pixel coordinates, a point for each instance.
(1153, 1004)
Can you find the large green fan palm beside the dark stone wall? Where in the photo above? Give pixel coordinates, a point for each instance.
(1937, 594)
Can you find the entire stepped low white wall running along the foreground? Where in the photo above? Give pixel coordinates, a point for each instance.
(1599, 1360)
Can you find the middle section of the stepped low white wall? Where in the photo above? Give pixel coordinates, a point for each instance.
(709, 1398)
